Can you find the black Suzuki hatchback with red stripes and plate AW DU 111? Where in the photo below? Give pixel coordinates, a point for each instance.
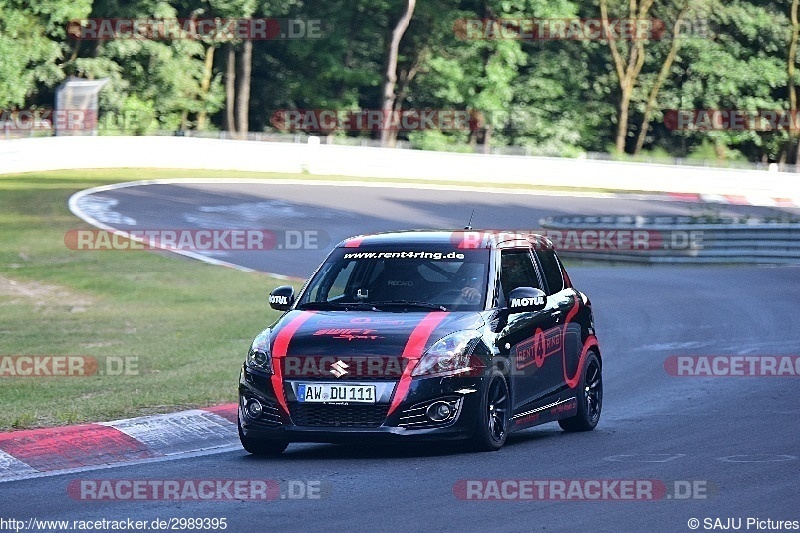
(464, 335)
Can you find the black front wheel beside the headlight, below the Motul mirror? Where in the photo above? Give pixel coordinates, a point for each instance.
(492, 425)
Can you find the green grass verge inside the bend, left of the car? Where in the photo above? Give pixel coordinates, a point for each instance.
(188, 324)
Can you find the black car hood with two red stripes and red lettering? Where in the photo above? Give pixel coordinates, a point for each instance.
(365, 333)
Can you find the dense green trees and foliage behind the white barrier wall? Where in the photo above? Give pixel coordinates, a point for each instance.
(551, 96)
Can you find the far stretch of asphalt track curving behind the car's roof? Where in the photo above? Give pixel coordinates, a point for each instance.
(329, 214)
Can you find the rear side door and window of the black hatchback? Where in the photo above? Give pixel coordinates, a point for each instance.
(562, 306)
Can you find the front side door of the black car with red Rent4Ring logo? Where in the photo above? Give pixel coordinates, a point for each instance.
(534, 372)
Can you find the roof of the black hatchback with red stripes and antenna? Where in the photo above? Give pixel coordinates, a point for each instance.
(463, 239)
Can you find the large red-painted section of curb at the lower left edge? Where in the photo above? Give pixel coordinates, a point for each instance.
(73, 447)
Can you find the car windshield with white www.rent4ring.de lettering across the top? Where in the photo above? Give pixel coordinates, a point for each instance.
(390, 280)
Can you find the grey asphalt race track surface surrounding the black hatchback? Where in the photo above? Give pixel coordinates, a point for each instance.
(736, 439)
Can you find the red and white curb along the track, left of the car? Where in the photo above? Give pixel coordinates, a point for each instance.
(39, 452)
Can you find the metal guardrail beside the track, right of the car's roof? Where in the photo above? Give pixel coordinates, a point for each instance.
(680, 239)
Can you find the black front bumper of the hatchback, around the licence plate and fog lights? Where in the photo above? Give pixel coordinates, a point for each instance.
(320, 422)
